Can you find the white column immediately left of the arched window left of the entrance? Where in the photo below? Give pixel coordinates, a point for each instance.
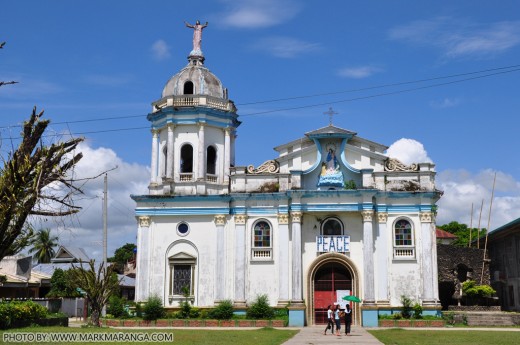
(240, 260)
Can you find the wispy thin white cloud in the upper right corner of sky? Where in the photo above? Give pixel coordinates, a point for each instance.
(459, 38)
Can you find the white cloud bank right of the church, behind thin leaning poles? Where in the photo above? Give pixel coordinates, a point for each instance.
(462, 189)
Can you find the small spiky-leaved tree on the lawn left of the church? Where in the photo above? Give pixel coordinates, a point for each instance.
(98, 284)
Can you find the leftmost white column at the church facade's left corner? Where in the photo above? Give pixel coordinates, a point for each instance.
(142, 288)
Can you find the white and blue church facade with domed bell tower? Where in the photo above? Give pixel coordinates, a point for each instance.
(330, 216)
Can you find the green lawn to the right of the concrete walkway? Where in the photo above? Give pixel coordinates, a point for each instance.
(445, 337)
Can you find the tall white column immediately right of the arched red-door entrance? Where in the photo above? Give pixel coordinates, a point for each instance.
(368, 257)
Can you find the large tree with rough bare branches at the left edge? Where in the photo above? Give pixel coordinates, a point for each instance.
(35, 180)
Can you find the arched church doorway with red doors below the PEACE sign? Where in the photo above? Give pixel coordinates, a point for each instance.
(330, 274)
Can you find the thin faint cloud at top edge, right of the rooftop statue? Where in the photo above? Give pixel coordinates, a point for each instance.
(258, 13)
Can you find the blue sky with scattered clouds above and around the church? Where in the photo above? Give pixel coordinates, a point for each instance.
(92, 60)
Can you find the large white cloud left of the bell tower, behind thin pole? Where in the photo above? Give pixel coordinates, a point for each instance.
(85, 228)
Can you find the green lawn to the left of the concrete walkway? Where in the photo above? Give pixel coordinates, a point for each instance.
(263, 336)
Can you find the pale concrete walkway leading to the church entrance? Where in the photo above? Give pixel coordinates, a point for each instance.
(314, 335)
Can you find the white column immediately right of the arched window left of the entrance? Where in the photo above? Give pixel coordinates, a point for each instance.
(283, 259)
